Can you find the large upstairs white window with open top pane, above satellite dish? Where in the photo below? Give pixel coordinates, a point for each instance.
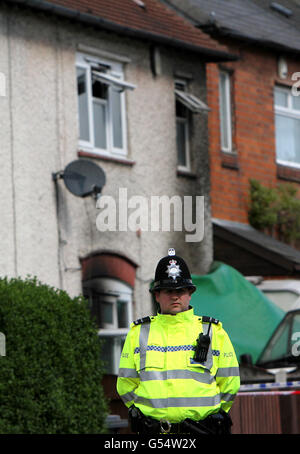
(101, 105)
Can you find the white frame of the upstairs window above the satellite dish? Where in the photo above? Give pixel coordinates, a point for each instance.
(115, 79)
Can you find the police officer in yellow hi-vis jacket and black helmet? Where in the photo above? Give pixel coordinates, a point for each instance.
(178, 371)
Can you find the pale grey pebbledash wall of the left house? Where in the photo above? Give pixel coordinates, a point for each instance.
(39, 136)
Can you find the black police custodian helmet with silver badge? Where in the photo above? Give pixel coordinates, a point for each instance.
(172, 272)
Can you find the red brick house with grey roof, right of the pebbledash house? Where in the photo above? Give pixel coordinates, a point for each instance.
(254, 121)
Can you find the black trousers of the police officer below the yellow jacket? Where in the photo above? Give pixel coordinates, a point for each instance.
(216, 424)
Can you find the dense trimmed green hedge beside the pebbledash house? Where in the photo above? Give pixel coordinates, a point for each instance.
(50, 378)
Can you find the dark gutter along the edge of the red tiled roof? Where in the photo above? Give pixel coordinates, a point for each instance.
(210, 55)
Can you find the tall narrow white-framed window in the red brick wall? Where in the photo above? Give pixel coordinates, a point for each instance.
(225, 123)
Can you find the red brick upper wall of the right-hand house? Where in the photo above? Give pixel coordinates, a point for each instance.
(253, 79)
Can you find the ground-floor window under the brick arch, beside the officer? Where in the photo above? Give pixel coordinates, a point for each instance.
(110, 303)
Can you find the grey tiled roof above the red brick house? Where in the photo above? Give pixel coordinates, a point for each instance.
(248, 19)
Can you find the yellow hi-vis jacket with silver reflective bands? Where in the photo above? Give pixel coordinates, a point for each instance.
(159, 376)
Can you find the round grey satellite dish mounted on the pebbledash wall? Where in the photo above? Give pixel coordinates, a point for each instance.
(83, 178)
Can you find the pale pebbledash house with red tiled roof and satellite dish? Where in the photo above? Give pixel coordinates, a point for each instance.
(121, 85)
